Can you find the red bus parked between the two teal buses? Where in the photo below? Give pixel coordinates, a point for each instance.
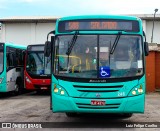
(37, 68)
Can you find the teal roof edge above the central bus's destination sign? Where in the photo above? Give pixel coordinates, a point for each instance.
(100, 17)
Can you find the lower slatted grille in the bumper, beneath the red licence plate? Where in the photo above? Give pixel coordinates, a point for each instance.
(89, 106)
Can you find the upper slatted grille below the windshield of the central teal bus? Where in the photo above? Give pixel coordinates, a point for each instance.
(97, 88)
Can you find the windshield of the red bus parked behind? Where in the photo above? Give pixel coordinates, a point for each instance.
(36, 63)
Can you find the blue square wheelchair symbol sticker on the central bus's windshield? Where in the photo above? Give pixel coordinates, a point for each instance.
(104, 71)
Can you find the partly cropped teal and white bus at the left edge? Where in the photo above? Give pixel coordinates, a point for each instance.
(11, 67)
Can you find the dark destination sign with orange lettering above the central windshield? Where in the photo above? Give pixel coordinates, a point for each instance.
(87, 25)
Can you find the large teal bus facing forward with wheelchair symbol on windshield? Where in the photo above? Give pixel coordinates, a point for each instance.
(98, 65)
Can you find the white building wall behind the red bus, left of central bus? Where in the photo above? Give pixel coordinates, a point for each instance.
(26, 30)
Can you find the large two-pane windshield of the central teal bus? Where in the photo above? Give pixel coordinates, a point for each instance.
(91, 54)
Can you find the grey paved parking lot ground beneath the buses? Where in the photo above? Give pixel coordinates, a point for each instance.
(33, 107)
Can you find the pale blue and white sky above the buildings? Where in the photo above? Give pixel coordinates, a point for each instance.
(60, 8)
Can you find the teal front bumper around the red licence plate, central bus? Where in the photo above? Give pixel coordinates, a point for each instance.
(133, 104)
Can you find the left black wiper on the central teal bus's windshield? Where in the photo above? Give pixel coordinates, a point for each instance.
(72, 42)
